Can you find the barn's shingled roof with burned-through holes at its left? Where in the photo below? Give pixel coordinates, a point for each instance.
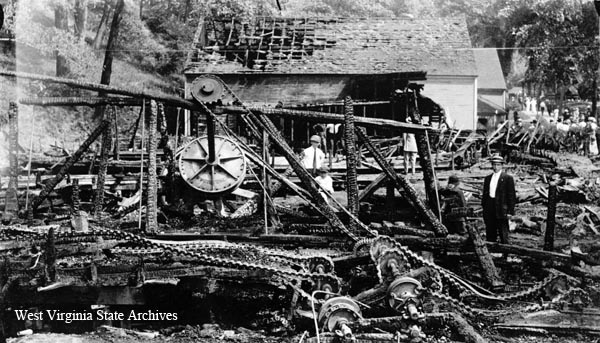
(332, 46)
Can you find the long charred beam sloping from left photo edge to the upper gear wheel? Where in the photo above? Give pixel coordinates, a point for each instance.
(167, 99)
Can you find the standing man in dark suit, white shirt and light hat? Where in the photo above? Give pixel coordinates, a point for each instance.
(498, 201)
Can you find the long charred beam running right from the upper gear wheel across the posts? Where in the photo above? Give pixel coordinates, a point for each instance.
(330, 118)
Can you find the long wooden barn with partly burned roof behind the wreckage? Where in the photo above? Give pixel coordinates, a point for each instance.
(314, 63)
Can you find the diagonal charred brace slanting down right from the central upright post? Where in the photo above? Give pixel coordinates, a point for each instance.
(403, 185)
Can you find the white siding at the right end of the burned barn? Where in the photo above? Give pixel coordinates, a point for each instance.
(457, 95)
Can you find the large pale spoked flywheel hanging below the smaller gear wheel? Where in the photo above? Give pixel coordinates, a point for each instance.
(223, 175)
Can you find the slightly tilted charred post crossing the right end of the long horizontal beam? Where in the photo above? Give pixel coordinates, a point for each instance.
(424, 155)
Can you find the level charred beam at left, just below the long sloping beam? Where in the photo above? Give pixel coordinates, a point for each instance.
(91, 101)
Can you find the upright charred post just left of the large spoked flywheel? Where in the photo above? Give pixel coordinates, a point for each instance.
(152, 207)
